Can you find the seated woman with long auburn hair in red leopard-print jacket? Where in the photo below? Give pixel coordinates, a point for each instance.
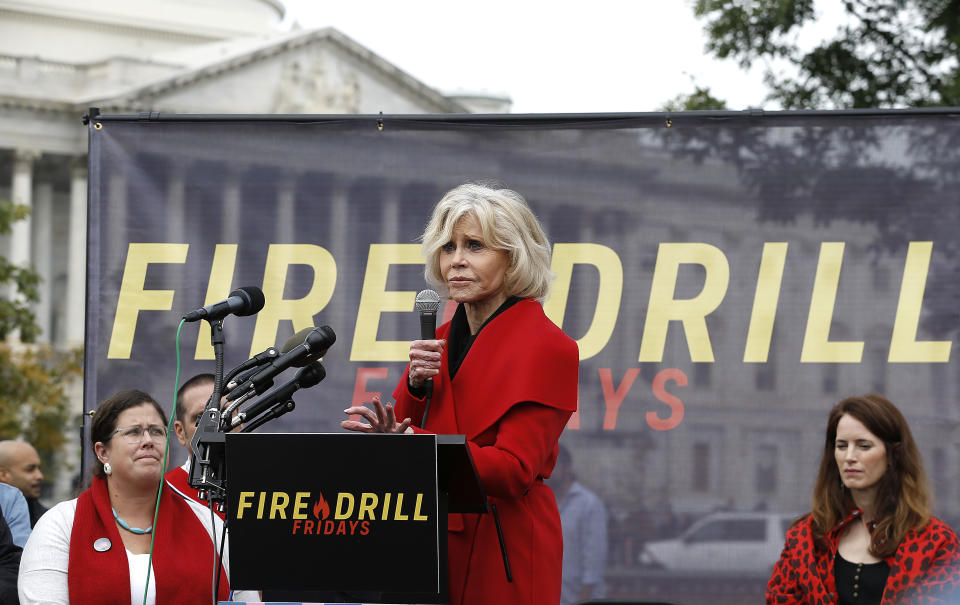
(869, 538)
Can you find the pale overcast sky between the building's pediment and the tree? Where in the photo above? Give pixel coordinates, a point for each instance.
(548, 57)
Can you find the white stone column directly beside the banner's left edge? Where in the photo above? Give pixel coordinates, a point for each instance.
(77, 260)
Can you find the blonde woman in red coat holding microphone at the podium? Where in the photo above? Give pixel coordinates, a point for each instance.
(503, 375)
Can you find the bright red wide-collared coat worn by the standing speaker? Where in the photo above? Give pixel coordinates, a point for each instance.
(512, 396)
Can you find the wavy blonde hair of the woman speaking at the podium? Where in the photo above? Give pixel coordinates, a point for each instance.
(506, 223)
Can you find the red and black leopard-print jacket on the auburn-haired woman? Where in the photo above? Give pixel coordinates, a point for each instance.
(924, 569)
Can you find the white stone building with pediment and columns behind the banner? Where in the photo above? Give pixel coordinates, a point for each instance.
(58, 58)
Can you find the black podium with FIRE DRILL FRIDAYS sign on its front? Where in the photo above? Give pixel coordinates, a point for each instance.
(346, 517)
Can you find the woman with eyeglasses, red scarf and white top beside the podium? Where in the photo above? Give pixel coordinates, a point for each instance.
(96, 548)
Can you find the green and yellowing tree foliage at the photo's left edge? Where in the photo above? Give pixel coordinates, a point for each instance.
(33, 404)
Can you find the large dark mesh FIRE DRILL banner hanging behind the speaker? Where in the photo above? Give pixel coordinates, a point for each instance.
(728, 278)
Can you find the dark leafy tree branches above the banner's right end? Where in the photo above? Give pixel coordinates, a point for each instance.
(886, 53)
